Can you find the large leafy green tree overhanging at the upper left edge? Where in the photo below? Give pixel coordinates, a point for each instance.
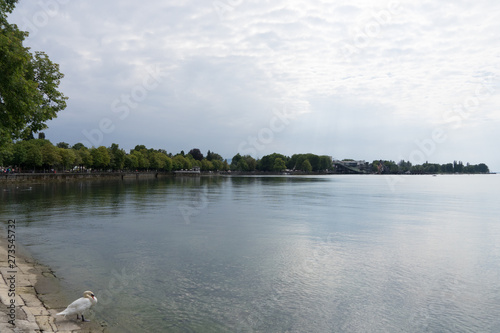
(29, 94)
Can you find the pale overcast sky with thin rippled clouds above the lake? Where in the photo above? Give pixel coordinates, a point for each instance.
(355, 79)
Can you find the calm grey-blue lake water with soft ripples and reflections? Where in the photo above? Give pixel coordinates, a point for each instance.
(273, 254)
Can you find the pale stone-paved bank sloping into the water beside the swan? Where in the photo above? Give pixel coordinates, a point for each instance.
(38, 296)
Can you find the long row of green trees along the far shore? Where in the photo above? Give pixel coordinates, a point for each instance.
(40, 155)
